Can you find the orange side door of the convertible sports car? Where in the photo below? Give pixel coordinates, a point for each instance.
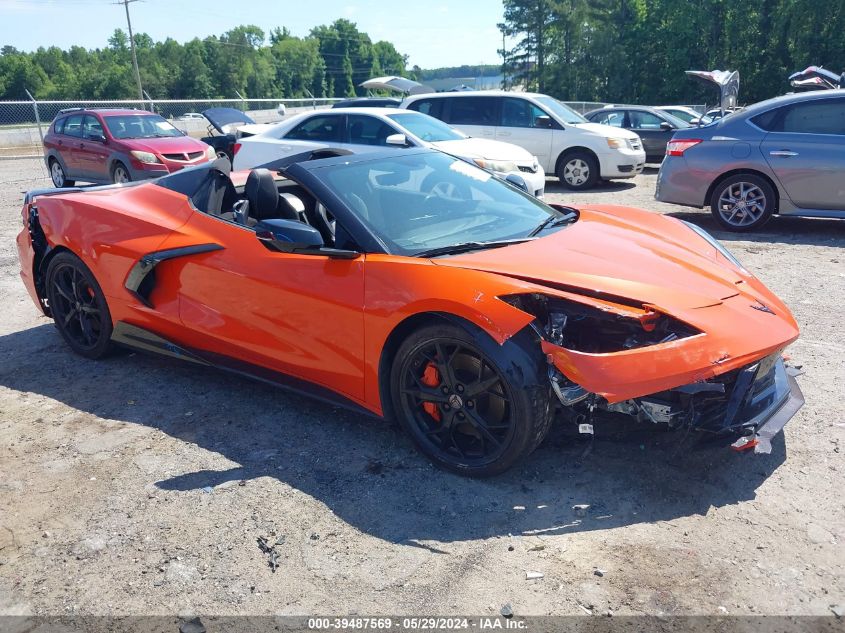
(300, 315)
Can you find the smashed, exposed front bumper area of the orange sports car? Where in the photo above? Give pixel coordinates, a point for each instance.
(746, 407)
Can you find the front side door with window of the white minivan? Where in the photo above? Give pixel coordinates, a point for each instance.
(523, 123)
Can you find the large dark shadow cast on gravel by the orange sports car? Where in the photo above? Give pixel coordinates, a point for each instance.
(365, 471)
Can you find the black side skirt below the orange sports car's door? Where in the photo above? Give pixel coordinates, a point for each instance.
(146, 341)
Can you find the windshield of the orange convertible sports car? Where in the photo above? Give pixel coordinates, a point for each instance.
(417, 202)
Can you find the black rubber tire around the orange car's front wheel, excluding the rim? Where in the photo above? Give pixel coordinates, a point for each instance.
(514, 364)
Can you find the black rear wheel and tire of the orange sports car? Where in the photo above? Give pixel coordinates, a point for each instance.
(78, 306)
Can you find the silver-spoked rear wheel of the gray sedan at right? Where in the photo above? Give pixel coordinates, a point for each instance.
(743, 202)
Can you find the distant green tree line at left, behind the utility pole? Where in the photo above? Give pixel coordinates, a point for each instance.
(330, 62)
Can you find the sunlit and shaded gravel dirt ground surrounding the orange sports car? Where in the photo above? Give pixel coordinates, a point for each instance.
(139, 485)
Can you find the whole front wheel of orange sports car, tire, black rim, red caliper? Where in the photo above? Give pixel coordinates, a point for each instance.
(471, 406)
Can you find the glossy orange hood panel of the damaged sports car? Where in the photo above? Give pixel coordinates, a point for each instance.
(641, 256)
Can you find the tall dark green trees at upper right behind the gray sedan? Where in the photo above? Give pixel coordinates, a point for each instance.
(636, 51)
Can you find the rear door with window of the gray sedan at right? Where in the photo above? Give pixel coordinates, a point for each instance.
(806, 150)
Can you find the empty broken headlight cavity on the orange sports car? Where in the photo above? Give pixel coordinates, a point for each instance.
(585, 328)
